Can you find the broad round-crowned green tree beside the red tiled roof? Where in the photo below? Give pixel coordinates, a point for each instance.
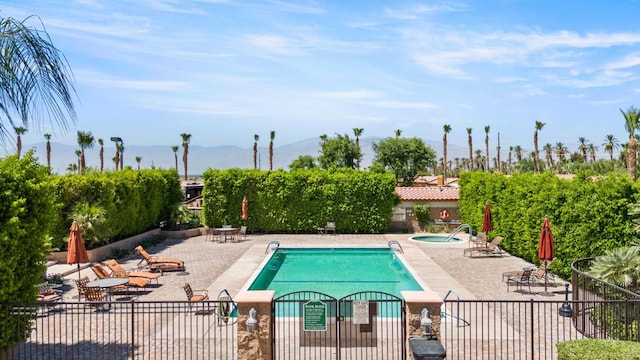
(406, 158)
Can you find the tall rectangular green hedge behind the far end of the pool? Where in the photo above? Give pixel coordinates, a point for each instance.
(300, 200)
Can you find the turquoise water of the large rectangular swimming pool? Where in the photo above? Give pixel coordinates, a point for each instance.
(334, 271)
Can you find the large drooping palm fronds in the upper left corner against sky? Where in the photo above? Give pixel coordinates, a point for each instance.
(34, 74)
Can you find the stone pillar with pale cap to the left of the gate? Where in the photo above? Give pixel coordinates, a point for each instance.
(258, 345)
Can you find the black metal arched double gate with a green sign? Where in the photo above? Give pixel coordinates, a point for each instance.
(362, 325)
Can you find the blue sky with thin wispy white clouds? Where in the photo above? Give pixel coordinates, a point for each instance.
(149, 70)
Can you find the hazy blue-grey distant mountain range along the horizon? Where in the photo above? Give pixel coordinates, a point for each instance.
(205, 157)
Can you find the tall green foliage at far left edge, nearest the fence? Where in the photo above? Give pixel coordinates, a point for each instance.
(26, 216)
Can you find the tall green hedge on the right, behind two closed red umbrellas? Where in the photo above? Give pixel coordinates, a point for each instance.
(588, 216)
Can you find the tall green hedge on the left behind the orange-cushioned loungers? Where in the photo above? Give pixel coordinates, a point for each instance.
(133, 200)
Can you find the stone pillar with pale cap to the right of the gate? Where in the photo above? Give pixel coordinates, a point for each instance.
(415, 301)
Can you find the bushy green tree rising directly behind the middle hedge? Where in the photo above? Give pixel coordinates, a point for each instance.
(340, 152)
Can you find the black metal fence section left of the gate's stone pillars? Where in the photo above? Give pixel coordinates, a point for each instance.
(120, 330)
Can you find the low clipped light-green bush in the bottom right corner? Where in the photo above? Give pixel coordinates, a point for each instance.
(598, 349)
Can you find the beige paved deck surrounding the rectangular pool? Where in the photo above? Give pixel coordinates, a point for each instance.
(216, 266)
